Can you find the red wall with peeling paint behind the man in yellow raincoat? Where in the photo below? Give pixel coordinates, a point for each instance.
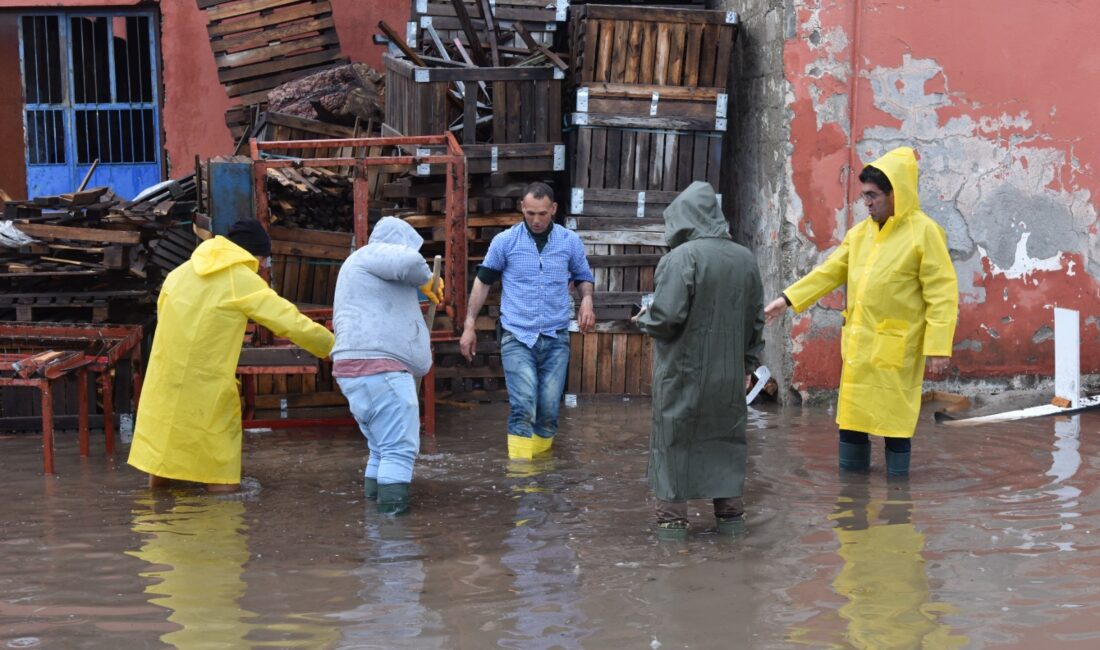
(1000, 107)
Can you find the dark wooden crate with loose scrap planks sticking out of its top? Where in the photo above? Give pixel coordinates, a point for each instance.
(522, 133)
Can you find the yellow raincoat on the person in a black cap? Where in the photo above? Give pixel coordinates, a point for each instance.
(190, 418)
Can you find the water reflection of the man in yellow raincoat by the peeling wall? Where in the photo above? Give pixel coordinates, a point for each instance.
(889, 603)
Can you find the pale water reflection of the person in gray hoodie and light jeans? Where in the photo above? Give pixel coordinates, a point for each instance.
(393, 578)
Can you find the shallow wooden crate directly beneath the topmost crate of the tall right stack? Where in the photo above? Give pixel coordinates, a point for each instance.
(651, 107)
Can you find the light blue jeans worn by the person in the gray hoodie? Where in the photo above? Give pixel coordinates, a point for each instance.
(389, 415)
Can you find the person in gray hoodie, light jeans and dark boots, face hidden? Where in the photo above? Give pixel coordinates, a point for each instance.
(382, 345)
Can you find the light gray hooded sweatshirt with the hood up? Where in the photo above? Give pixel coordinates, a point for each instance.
(377, 314)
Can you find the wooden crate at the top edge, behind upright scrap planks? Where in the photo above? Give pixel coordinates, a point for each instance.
(544, 19)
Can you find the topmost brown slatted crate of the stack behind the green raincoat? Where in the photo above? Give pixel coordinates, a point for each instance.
(655, 47)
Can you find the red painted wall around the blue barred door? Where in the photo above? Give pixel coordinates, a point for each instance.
(194, 102)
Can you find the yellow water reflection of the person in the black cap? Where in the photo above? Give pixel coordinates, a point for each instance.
(199, 550)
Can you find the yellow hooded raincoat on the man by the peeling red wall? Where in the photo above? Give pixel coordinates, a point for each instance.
(903, 307)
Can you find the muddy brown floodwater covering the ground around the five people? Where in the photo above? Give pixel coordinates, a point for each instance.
(994, 543)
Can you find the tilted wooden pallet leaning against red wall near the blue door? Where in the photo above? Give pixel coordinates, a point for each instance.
(260, 45)
